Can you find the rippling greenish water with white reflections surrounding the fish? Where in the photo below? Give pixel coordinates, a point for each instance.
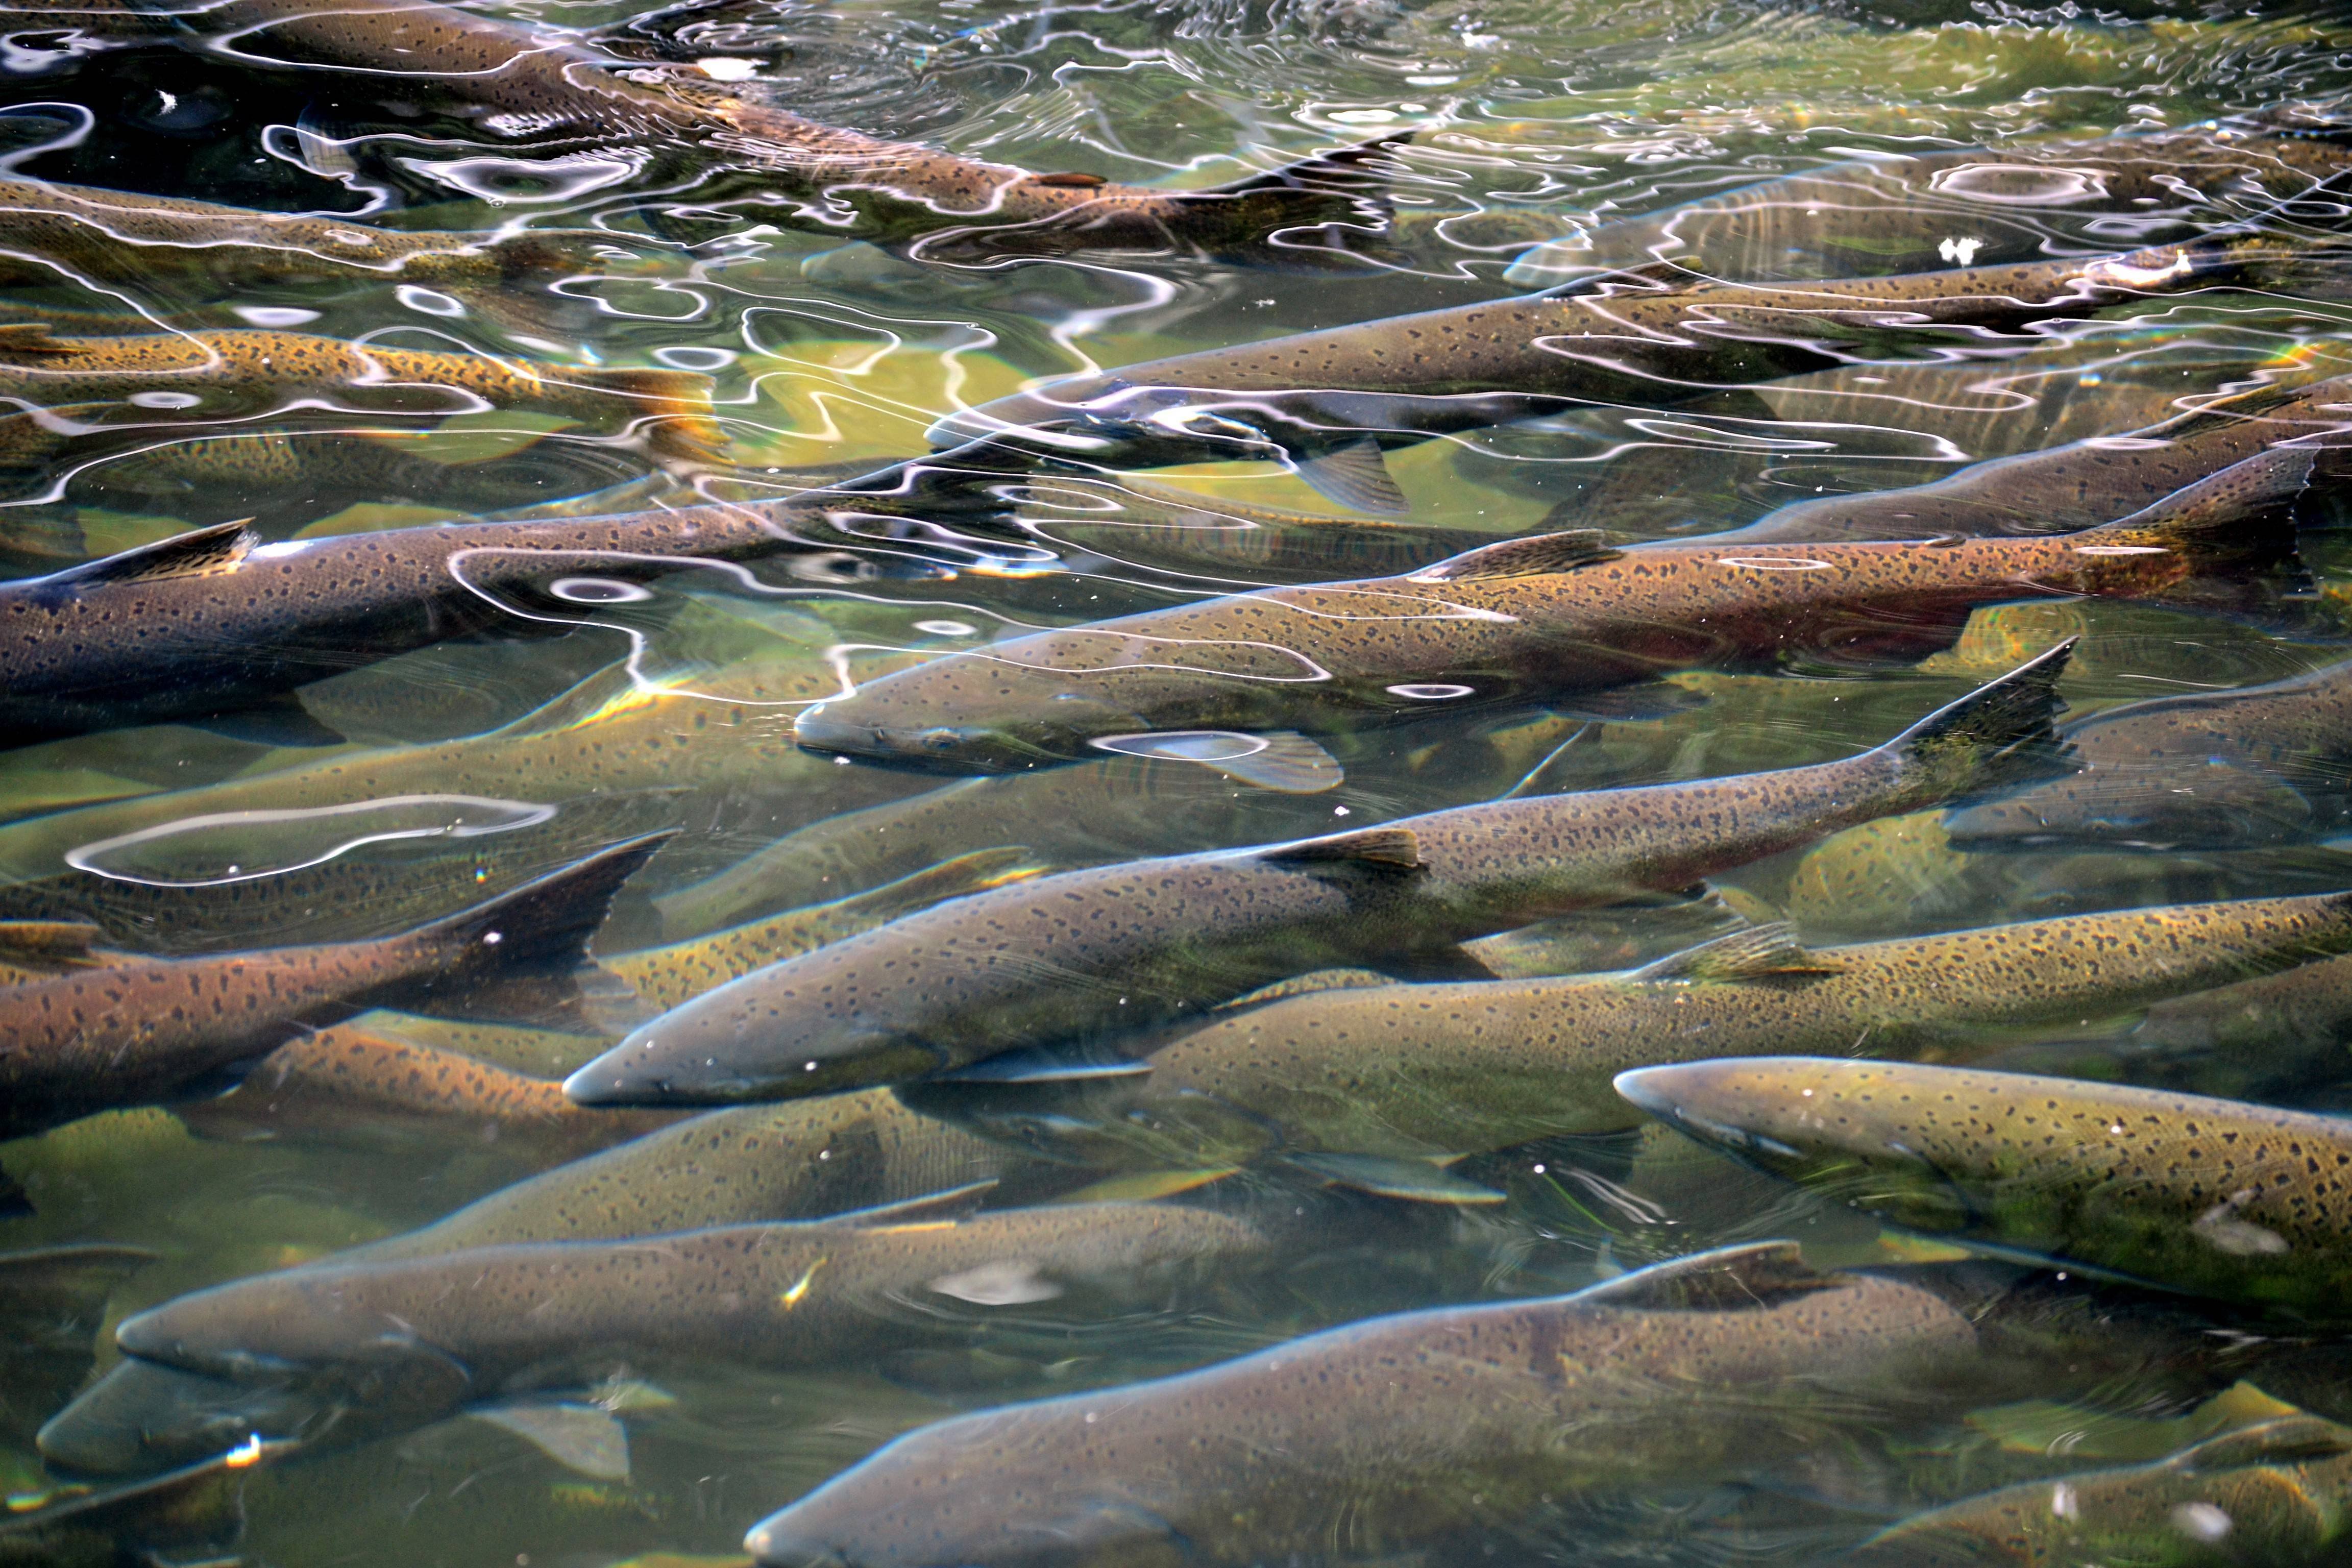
(662, 702)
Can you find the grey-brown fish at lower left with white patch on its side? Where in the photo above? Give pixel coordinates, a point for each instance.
(794, 1294)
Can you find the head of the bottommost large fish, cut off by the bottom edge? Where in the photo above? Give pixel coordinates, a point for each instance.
(1001, 1489)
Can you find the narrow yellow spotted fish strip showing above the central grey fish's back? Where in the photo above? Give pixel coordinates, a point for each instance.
(679, 972)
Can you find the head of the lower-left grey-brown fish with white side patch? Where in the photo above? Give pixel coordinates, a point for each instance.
(321, 1332)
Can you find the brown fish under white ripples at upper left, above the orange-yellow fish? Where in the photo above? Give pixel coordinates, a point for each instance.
(121, 236)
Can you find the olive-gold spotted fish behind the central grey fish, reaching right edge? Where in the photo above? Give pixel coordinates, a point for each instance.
(1405, 1076)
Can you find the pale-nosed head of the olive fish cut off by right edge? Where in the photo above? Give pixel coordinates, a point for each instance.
(1824, 1123)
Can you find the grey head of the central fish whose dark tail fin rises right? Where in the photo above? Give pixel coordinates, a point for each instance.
(728, 1050)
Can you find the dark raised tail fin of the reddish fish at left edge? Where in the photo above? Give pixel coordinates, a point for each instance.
(521, 956)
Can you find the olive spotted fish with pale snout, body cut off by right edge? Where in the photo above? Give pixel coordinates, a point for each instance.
(2214, 1198)
